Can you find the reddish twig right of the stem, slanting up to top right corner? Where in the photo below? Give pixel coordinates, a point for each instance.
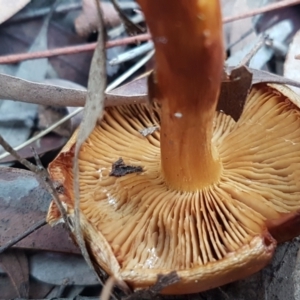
(261, 10)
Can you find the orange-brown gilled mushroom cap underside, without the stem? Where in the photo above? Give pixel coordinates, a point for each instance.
(136, 227)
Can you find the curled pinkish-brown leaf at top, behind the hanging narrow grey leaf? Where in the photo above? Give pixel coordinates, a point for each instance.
(88, 21)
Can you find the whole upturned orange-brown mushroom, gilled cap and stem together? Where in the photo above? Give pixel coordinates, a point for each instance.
(203, 195)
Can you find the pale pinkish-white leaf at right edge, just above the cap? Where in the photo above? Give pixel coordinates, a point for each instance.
(292, 65)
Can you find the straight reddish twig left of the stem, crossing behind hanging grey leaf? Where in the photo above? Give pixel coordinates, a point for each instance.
(14, 58)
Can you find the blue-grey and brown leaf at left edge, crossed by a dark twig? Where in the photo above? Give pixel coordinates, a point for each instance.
(24, 201)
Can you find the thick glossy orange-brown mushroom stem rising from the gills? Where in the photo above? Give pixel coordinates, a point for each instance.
(189, 61)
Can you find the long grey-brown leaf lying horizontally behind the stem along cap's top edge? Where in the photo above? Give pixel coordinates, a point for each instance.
(14, 88)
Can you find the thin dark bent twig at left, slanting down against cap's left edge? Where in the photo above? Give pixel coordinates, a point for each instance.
(42, 173)
